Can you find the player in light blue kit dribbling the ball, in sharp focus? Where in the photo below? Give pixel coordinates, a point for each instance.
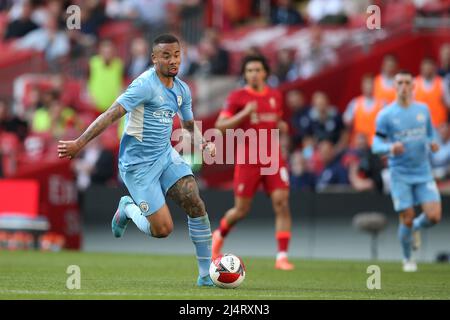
(148, 165)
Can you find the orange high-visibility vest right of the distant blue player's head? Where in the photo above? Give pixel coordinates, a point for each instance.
(433, 97)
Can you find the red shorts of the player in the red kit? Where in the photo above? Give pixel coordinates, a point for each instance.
(247, 179)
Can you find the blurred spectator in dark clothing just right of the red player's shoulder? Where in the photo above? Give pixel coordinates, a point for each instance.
(295, 102)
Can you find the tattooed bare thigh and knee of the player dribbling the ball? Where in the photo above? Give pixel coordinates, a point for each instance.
(185, 194)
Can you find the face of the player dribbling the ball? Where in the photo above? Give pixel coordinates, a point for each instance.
(167, 58)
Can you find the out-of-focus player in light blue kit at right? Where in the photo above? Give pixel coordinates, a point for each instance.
(404, 132)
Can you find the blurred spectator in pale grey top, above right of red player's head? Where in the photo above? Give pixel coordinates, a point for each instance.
(316, 56)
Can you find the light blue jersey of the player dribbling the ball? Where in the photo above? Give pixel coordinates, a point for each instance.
(151, 107)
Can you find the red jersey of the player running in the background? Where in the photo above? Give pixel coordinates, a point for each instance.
(268, 112)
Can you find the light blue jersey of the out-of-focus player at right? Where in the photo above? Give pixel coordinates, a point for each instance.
(412, 126)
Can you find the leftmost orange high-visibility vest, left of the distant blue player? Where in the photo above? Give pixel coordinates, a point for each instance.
(364, 118)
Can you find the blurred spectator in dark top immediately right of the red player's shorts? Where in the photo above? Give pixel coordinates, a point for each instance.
(301, 177)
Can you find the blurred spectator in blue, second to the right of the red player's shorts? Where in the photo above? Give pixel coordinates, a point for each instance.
(334, 173)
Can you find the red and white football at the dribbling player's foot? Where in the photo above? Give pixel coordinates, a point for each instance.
(227, 271)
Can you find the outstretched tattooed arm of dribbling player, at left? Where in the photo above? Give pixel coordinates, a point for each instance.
(69, 149)
